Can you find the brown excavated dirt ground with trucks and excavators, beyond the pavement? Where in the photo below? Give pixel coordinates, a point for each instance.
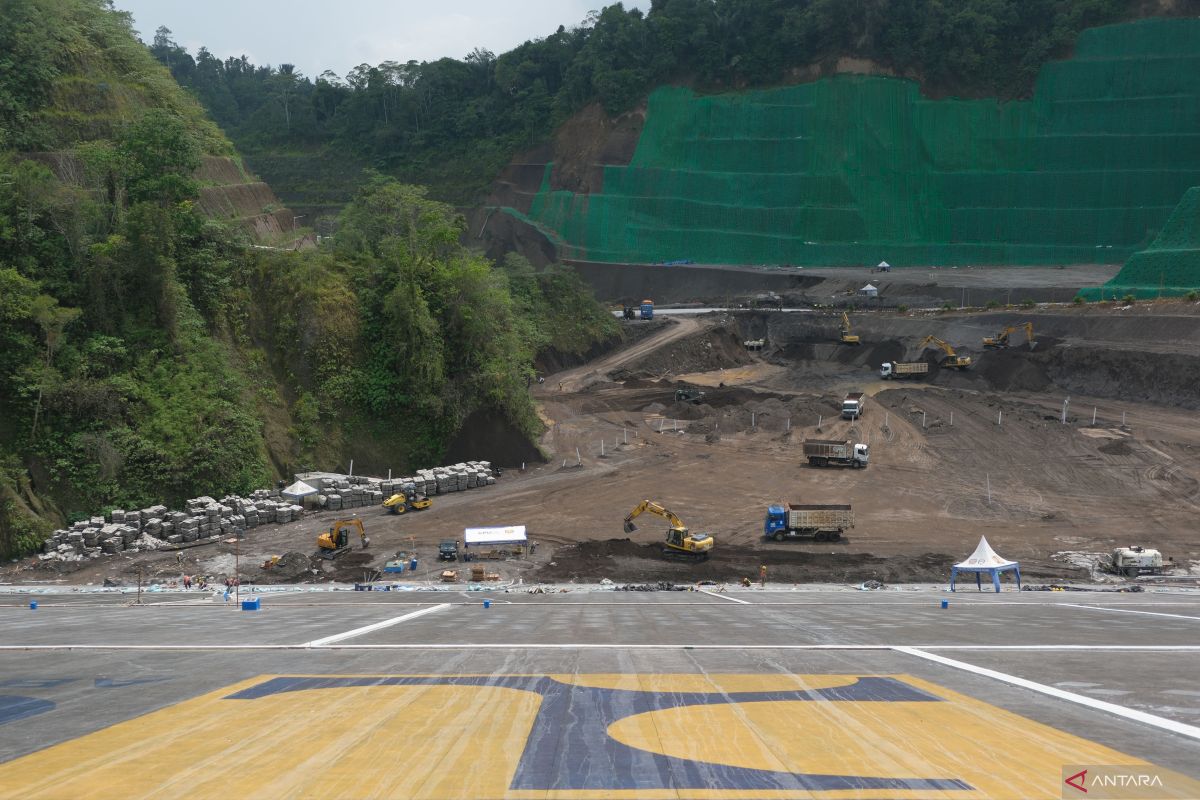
(953, 458)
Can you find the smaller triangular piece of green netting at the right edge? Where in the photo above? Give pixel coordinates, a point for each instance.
(1169, 267)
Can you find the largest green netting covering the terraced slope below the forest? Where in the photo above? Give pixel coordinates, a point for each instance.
(854, 170)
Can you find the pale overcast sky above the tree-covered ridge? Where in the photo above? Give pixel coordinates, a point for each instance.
(319, 35)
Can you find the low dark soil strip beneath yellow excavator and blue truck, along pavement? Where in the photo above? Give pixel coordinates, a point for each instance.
(622, 560)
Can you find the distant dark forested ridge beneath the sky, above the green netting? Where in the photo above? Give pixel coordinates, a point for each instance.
(454, 124)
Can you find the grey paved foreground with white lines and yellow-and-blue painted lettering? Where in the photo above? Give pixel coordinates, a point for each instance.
(743, 694)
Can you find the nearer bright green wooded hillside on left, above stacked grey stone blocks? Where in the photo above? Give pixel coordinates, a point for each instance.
(148, 353)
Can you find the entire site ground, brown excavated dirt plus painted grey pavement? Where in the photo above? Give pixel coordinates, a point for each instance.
(554, 683)
